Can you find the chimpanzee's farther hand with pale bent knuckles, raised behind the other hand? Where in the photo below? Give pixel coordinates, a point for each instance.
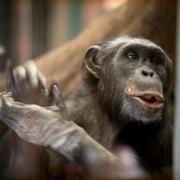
(27, 84)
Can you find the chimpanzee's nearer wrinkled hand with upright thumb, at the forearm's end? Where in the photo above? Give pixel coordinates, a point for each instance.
(35, 124)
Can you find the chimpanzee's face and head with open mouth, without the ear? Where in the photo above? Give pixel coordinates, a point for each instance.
(133, 79)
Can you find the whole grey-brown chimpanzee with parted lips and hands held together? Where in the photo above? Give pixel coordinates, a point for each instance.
(117, 126)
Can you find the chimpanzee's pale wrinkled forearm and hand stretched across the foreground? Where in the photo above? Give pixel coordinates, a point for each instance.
(46, 127)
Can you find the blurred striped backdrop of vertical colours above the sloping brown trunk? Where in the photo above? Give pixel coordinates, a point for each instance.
(30, 28)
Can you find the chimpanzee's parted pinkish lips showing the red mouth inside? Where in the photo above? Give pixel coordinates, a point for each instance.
(153, 100)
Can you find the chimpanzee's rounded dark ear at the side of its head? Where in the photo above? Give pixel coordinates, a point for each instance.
(92, 60)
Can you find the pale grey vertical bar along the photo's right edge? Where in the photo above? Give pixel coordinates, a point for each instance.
(176, 153)
